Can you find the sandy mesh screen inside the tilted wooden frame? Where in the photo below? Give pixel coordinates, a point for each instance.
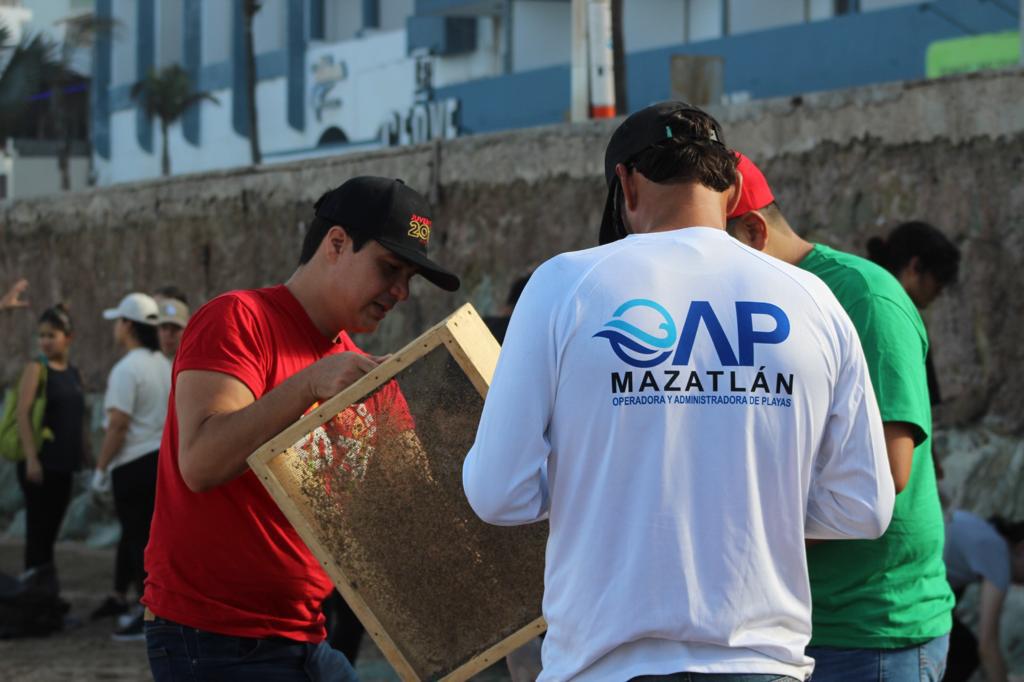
(381, 486)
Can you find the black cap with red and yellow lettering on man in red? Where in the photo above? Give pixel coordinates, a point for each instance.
(392, 214)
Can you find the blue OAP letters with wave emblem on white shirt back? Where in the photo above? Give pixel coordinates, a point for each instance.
(644, 349)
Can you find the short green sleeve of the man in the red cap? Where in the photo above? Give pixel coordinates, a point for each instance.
(895, 352)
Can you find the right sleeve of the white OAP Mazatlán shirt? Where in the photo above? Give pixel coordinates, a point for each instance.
(852, 493)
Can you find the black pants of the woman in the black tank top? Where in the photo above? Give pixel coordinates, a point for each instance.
(46, 505)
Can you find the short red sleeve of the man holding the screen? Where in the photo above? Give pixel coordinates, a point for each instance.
(226, 336)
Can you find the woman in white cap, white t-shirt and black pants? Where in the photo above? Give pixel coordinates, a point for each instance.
(136, 408)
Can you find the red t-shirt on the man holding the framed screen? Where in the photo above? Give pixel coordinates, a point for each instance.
(227, 561)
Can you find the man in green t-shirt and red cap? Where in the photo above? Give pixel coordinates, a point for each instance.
(882, 609)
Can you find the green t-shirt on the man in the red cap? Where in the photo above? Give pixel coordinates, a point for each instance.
(891, 592)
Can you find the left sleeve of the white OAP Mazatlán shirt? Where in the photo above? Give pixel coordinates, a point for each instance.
(505, 474)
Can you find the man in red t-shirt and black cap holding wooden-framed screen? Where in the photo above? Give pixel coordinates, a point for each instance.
(233, 592)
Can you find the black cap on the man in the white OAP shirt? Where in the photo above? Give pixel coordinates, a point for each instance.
(638, 133)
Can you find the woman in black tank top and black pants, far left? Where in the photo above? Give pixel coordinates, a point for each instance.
(46, 476)
